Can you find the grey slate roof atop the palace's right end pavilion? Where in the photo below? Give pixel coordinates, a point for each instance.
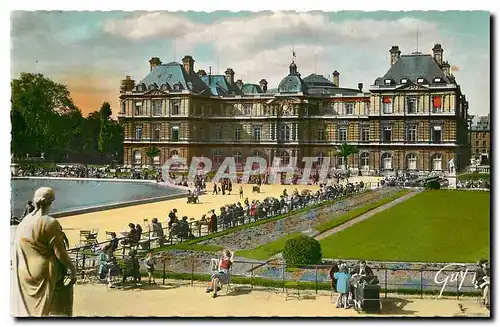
(413, 67)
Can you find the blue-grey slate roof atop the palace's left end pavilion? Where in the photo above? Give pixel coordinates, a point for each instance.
(171, 74)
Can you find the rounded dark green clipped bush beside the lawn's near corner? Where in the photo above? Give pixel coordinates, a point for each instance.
(302, 250)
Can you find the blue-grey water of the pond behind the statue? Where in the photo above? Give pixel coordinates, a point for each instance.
(78, 194)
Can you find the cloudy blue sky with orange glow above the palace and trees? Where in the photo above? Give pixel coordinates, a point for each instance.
(91, 51)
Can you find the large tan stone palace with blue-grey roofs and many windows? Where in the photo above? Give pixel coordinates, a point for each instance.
(413, 119)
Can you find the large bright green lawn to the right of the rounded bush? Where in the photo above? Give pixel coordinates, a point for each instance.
(433, 226)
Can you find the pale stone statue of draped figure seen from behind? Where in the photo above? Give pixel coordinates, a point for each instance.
(41, 263)
